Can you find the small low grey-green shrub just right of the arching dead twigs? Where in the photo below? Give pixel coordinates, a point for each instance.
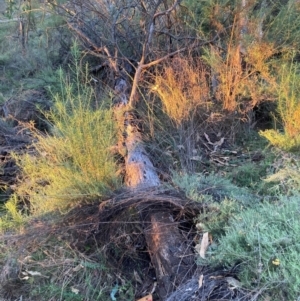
(222, 200)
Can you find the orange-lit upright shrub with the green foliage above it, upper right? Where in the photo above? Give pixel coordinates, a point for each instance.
(248, 36)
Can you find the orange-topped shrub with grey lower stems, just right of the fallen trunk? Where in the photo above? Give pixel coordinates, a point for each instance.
(183, 90)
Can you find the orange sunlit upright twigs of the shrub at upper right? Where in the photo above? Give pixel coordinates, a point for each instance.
(240, 88)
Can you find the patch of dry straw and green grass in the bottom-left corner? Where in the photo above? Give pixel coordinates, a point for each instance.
(44, 264)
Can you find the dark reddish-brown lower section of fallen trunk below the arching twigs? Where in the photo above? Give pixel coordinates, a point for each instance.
(170, 252)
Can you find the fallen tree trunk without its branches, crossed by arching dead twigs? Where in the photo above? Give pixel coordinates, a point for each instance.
(171, 255)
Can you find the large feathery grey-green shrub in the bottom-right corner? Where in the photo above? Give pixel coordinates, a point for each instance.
(264, 242)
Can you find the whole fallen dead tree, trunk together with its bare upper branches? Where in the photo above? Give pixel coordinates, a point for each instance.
(136, 35)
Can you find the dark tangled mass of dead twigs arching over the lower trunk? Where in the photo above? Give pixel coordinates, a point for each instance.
(121, 231)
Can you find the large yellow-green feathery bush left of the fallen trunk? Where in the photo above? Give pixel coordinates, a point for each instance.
(75, 161)
